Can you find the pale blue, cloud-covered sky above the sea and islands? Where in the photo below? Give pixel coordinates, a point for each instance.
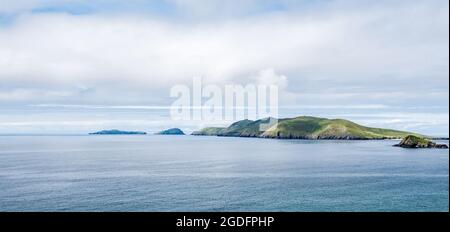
(76, 66)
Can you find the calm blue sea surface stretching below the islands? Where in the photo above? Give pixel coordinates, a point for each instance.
(186, 173)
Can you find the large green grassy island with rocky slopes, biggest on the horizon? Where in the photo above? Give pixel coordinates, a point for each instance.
(304, 127)
